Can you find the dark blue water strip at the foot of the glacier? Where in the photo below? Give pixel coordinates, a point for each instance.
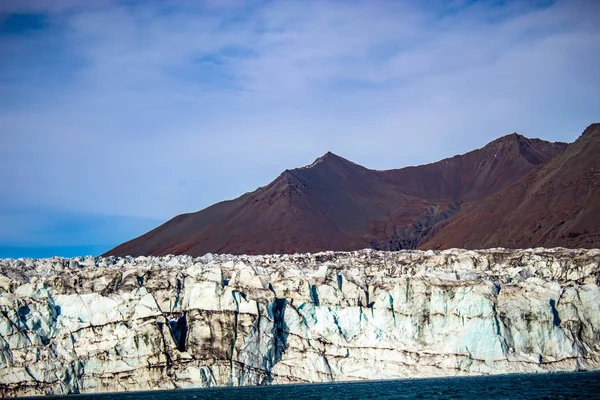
(580, 385)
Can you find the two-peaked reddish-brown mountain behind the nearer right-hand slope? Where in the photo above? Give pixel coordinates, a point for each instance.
(334, 204)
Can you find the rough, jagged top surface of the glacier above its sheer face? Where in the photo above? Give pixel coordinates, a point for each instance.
(506, 265)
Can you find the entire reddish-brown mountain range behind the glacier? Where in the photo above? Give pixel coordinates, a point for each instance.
(514, 192)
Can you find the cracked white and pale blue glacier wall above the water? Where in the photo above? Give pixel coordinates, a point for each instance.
(113, 324)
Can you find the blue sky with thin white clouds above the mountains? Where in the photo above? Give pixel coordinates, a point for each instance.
(116, 116)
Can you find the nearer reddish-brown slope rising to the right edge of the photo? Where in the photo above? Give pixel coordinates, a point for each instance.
(557, 204)
